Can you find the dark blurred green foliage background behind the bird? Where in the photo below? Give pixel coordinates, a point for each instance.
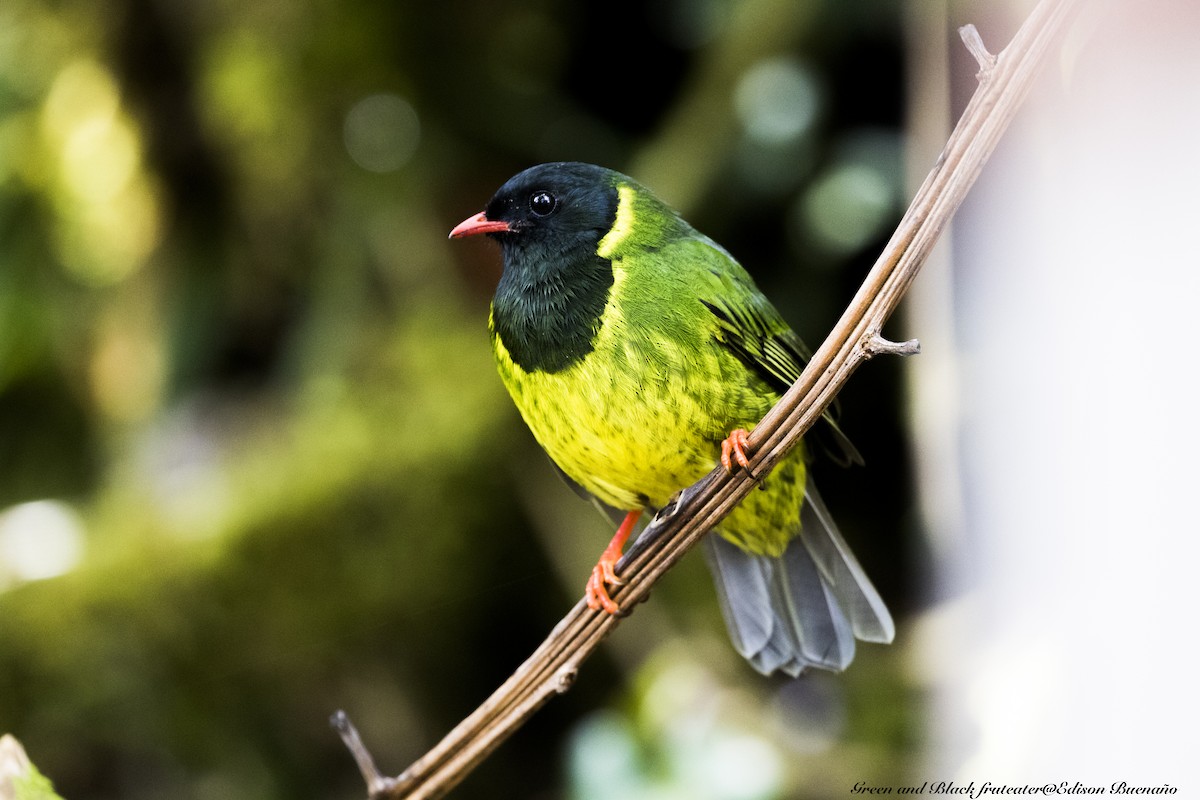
(255, 461)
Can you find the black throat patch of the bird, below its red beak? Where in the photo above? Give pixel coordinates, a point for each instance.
(548, 306)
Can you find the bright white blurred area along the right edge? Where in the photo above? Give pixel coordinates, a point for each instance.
(1060, 462)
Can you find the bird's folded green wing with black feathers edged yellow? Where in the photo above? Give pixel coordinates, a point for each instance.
(755, 333)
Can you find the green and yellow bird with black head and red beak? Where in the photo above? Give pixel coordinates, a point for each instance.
(640, 353)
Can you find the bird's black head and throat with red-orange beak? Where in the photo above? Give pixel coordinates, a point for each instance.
(550, 221)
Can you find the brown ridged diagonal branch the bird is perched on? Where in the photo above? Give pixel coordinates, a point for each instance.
(1005, 81)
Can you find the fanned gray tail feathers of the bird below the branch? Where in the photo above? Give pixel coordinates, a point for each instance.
(805, 609)
